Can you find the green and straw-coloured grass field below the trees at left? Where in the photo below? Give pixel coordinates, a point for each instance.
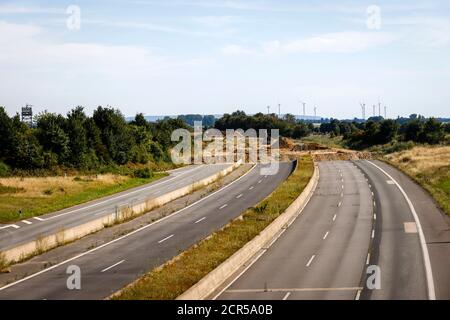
(35, 196)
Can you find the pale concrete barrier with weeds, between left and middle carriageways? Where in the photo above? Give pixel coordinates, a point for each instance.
(122, 214)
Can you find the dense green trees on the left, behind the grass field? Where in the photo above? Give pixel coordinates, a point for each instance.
(80, 141)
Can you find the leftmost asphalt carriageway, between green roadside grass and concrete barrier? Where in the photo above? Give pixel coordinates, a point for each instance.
(30, 229)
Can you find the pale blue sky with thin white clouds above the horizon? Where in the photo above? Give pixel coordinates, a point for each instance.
(165, 57)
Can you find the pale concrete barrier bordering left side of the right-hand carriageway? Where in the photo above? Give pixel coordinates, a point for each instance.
(208, 284)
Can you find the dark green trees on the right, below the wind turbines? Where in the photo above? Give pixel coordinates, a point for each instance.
(379, 131)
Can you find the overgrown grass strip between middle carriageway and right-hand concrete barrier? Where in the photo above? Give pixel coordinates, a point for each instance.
(175, 277)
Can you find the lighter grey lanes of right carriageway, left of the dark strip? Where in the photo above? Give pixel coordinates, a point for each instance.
(322, 254)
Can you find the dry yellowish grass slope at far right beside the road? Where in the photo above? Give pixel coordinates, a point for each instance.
(429, 166)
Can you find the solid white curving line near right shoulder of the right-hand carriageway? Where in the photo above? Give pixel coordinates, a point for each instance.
(423, 244)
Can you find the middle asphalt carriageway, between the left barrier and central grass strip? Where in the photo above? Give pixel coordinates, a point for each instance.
(115, 264)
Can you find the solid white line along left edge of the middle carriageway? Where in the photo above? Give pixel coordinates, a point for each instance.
(122, 237)
